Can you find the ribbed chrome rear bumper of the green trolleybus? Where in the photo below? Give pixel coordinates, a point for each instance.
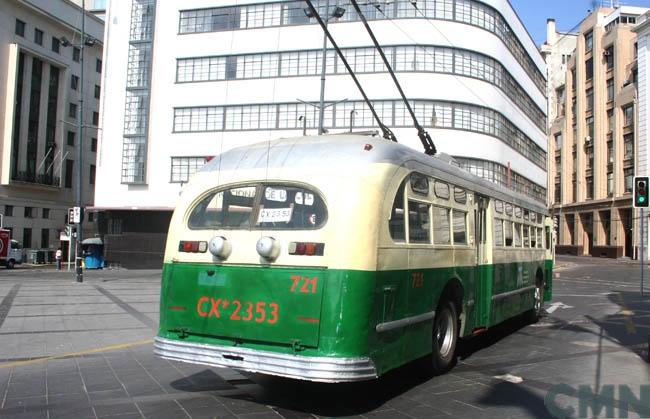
(324, 369)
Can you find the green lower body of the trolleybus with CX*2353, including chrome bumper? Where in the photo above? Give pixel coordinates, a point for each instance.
(327, 324)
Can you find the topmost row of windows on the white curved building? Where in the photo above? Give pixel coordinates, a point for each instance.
(292, 13)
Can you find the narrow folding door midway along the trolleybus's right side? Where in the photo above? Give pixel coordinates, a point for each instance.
(484, 270)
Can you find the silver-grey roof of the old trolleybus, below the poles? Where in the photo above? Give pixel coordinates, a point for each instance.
(340, 150)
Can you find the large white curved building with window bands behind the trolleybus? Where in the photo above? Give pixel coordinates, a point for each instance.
(203, 76)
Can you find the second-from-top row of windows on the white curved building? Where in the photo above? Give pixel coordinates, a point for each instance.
(405, 58)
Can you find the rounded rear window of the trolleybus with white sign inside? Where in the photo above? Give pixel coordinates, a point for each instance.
(268, 206)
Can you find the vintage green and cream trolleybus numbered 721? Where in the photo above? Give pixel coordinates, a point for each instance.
(340, 257)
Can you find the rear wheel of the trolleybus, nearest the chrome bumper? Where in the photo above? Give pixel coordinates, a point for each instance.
(445, 337)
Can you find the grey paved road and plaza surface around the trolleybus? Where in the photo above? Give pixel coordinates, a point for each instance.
(84, 350)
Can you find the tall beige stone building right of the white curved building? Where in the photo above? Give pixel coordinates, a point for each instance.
(592, 138)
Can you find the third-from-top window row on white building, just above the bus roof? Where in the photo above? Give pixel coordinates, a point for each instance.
(436, 114)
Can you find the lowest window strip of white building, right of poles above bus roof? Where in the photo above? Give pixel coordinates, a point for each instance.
(501, 175)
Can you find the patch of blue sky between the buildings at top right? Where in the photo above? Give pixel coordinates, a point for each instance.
(567, 13)
